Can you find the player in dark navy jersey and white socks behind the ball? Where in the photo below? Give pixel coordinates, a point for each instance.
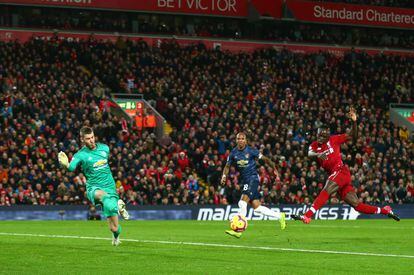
(244, 158)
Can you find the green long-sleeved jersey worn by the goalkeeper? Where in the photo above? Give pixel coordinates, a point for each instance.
(94, 165)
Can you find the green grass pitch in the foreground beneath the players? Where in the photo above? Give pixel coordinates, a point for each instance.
(193, 247)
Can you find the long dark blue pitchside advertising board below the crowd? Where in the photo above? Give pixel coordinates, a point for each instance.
(204, 213)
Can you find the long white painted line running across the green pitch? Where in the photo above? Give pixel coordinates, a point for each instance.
(213, 245)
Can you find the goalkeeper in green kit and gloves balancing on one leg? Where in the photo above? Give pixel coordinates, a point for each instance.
(100, 185)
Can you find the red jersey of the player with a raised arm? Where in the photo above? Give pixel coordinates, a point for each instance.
(333, 152)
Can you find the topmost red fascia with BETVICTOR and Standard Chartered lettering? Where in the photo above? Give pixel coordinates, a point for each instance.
(300, 10)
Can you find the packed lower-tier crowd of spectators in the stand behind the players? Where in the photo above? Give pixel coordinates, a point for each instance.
(49, 89)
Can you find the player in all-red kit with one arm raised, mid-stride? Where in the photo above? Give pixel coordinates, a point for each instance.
(328, 151)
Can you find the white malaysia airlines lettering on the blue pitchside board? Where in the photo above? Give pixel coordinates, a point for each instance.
(325, 213)
